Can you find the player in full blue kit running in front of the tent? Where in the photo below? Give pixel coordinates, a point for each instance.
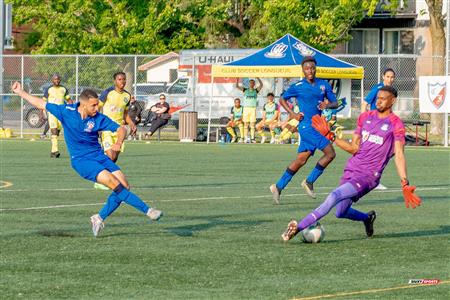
(313, 95)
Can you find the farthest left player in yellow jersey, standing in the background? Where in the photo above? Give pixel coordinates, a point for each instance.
(56, 94)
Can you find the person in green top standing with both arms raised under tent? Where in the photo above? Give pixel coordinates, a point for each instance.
(250, 103)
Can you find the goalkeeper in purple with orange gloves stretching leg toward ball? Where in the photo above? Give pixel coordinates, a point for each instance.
(379, 135)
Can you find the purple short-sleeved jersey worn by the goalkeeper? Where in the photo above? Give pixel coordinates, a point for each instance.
(377, 145)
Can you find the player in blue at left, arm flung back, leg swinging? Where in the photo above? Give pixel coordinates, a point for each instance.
(82, 122)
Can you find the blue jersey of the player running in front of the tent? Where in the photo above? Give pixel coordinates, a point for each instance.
(309, 97)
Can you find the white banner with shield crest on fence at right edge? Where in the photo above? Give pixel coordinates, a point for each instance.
(434, 94)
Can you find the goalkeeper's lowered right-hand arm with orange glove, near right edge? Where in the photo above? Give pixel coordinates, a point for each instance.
(411, 199)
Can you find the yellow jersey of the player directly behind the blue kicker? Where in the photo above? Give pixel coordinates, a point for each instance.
(115, 103)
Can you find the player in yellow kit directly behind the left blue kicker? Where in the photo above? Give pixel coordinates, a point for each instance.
(116, 101)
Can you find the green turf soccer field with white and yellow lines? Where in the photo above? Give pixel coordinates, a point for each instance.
(220, 237)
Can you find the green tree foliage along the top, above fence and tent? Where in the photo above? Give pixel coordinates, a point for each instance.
(159, 26)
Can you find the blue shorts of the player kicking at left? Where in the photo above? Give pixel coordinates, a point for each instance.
(90, 167)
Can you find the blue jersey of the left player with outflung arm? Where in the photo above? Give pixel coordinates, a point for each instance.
(81, 135)
